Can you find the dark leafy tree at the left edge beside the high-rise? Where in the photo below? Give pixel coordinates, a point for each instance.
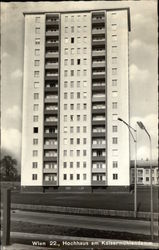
(8, 168)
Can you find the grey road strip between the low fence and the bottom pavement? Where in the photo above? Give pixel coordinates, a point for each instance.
(98, 223)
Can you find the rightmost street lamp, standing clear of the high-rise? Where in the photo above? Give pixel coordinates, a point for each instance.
(141, 125)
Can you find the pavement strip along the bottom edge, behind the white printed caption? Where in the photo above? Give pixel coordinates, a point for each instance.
(73, 243)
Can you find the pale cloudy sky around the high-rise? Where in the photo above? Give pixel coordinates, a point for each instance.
(143, 68)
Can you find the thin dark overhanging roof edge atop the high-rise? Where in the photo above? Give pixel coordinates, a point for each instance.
(78, 11)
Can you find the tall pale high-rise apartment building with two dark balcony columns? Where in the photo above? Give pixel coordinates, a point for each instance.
(76, 85)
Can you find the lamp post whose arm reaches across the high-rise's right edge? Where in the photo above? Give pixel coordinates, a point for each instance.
(135, 168)
